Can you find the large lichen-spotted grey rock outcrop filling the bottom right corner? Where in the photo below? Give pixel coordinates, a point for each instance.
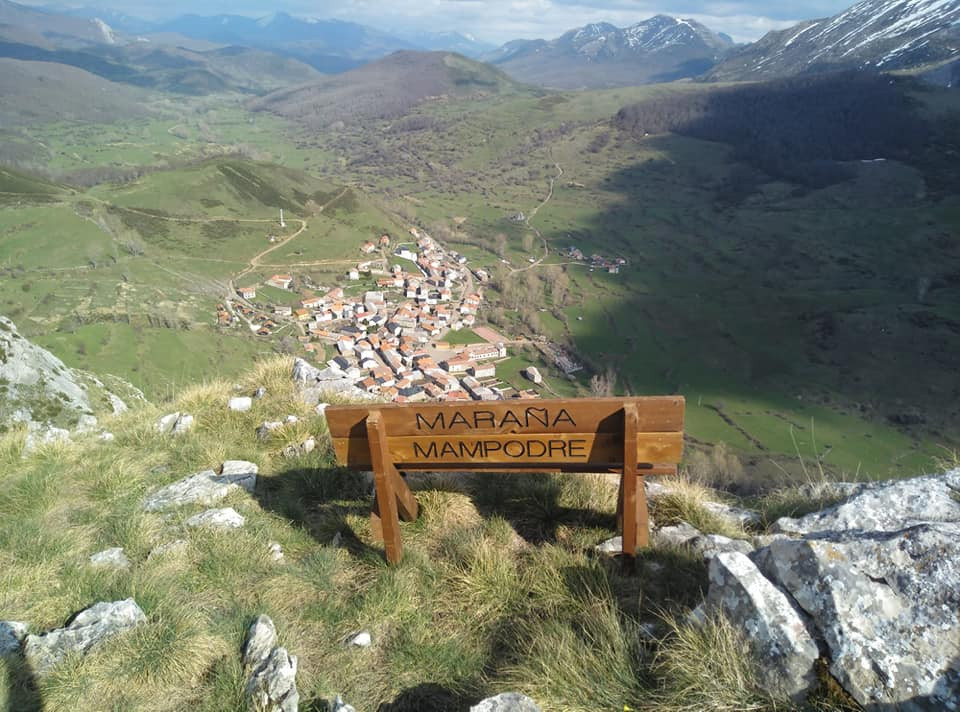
(877, 580)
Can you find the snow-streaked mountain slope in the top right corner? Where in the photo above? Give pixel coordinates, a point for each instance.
(878, 34)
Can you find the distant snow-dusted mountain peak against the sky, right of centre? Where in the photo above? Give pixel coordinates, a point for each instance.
(659, 49)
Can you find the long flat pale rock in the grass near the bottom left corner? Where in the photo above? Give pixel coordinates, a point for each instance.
(90, 628)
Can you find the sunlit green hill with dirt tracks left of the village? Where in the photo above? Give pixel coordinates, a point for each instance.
(126, 279)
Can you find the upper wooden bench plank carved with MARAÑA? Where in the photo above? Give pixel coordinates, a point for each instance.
(560, 416)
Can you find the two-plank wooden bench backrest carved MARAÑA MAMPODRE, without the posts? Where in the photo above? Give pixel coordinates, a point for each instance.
(553, 435)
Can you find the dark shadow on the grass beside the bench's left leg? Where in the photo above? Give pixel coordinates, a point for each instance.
(319, 499)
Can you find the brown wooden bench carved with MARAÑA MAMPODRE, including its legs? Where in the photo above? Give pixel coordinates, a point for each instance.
(632, 436)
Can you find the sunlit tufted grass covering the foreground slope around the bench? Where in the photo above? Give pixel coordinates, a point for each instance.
(499, 588)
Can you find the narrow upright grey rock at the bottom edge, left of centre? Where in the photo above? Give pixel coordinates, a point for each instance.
(272, 685)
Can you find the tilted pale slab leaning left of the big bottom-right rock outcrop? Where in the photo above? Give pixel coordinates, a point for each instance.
(777, 635)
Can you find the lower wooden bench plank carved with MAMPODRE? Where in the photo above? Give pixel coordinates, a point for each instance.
(552, 451)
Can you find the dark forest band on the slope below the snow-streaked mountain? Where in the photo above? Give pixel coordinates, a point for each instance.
(795, 129)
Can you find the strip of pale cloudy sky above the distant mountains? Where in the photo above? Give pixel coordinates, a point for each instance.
(498, 21)
